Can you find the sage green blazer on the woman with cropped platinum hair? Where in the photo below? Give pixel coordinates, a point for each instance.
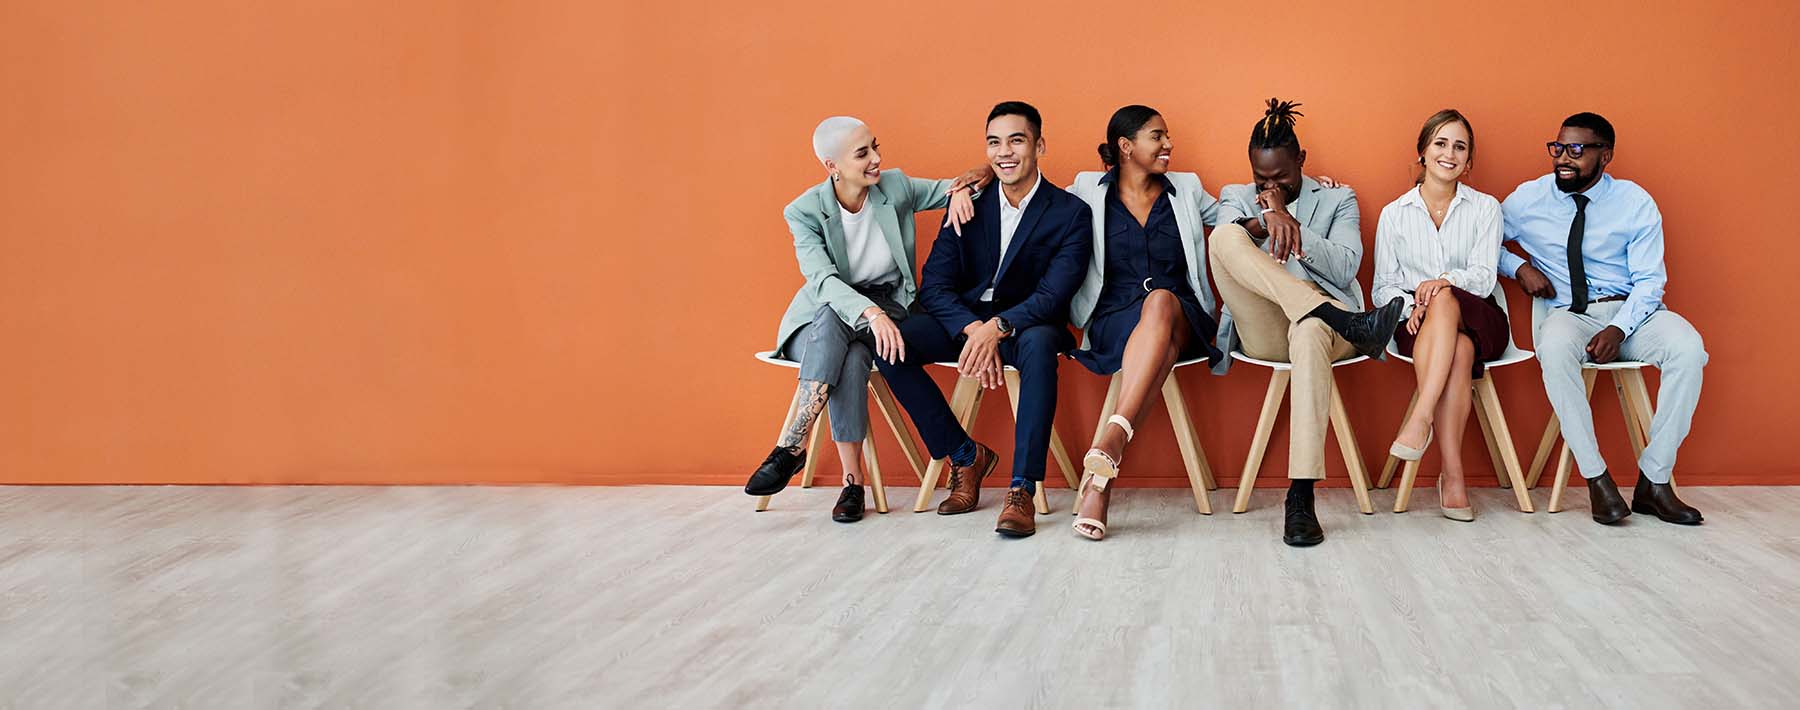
(820, 246)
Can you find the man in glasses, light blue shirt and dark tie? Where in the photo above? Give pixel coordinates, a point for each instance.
(1597, 273)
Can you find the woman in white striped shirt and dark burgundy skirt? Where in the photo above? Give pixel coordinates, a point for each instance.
(1437, 248)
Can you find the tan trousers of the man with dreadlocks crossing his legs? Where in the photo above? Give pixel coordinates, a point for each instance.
(1270, 311)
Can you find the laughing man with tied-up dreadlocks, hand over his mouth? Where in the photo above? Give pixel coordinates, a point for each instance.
(1286, 257)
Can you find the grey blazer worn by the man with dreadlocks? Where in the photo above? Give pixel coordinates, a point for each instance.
(1331, 232)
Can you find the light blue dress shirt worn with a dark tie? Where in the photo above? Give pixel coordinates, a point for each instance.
(1623, 244)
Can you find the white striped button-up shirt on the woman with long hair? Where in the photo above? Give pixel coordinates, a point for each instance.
(1410, 250)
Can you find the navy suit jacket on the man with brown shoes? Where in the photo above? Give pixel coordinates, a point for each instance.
(1038, 277)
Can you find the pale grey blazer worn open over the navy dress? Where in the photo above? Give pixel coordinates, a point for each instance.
(1194, 210)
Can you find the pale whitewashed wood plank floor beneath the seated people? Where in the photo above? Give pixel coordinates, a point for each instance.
(669, 597)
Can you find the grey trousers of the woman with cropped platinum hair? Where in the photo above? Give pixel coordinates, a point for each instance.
(838, 356)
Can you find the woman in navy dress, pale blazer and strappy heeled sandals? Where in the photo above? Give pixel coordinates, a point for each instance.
(1147, 302)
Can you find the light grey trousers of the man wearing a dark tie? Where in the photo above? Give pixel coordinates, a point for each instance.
(1666, 341)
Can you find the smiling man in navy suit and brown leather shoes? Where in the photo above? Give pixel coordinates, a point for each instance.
(998, 296)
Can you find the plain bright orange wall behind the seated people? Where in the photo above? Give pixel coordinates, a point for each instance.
(537, 242)
